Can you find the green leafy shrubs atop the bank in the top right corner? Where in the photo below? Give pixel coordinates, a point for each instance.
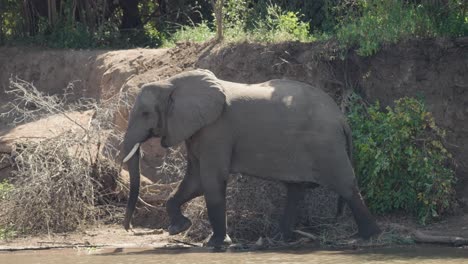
(388, 21)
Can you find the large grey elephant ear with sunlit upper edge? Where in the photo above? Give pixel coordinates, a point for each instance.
(197, 100)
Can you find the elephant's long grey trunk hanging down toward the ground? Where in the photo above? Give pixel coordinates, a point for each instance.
(133, 165)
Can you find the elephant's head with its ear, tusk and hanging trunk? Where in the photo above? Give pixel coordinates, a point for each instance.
(173, 110)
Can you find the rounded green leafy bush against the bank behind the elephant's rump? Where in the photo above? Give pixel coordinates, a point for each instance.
(400, 160)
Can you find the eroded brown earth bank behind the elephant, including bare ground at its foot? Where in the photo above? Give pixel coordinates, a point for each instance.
(434, 68)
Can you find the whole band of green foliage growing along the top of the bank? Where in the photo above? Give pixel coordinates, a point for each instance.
(362, 24)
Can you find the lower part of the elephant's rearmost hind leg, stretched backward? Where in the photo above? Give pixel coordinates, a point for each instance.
(367, 226)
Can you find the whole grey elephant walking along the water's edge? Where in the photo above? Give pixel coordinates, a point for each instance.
(279, 130)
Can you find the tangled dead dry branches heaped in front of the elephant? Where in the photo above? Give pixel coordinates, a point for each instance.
(64, 181)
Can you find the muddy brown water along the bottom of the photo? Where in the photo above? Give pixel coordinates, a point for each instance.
(411, 255)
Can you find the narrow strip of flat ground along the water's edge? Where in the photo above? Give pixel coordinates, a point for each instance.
(397, 232)
